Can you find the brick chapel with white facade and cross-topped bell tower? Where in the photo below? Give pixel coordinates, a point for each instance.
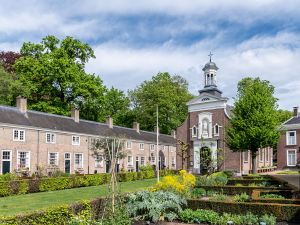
(208, 116)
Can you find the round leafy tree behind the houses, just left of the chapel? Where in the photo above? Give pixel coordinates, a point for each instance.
(170, 93)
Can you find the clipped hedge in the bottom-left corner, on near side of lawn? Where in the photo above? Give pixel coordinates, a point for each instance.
(54, 216)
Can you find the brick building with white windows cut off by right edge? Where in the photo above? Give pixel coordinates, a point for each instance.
(288, 149)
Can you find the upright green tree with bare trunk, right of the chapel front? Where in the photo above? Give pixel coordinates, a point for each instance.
(255, 119)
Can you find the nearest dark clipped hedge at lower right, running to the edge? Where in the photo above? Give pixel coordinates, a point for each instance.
(283, 212)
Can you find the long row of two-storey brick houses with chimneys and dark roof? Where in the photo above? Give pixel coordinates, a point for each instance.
(32, 140)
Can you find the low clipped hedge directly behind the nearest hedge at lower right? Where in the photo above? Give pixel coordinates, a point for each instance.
(236, 190)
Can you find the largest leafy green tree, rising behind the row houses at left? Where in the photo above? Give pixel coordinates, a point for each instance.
(53, 71)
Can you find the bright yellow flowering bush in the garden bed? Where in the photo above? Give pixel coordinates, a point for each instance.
(181, 184)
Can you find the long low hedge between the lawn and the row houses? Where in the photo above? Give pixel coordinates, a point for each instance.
(16, 187)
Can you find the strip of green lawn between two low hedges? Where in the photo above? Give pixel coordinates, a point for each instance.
(23, 203)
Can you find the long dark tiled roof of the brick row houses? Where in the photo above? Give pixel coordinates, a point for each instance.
(12, 115)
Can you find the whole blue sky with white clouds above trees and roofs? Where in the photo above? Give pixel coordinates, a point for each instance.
(133, 40)
